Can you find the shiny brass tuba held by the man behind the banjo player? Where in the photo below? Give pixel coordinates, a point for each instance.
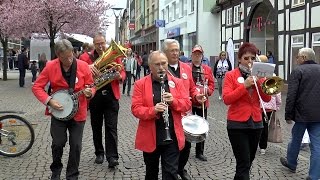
(106, 65)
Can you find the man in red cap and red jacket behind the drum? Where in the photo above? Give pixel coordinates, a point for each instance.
(203, 78)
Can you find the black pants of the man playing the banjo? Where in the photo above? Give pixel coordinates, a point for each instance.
(58, 132)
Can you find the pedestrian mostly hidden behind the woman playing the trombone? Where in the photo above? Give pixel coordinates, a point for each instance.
(270, 107)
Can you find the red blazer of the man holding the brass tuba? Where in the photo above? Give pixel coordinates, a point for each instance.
(115, 83)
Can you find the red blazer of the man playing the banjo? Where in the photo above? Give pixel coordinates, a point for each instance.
(52, 73)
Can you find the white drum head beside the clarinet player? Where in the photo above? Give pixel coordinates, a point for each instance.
(194, 124)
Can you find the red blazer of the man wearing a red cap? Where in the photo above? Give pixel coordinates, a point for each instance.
(206, 70)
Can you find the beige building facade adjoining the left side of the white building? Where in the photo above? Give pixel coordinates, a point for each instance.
(145, 37)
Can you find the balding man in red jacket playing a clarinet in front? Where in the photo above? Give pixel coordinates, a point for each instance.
(148, 108)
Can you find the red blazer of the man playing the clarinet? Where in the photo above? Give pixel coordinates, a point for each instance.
(142, 107)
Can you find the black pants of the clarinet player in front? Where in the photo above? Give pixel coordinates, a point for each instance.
(169, 162)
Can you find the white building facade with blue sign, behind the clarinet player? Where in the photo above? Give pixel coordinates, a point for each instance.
(190, 22)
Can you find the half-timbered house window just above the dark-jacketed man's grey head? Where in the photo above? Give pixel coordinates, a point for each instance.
(297, 42)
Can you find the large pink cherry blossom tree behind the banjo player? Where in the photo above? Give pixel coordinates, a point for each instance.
(68, 16)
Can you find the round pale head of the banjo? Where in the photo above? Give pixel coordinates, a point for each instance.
(64, 98)
